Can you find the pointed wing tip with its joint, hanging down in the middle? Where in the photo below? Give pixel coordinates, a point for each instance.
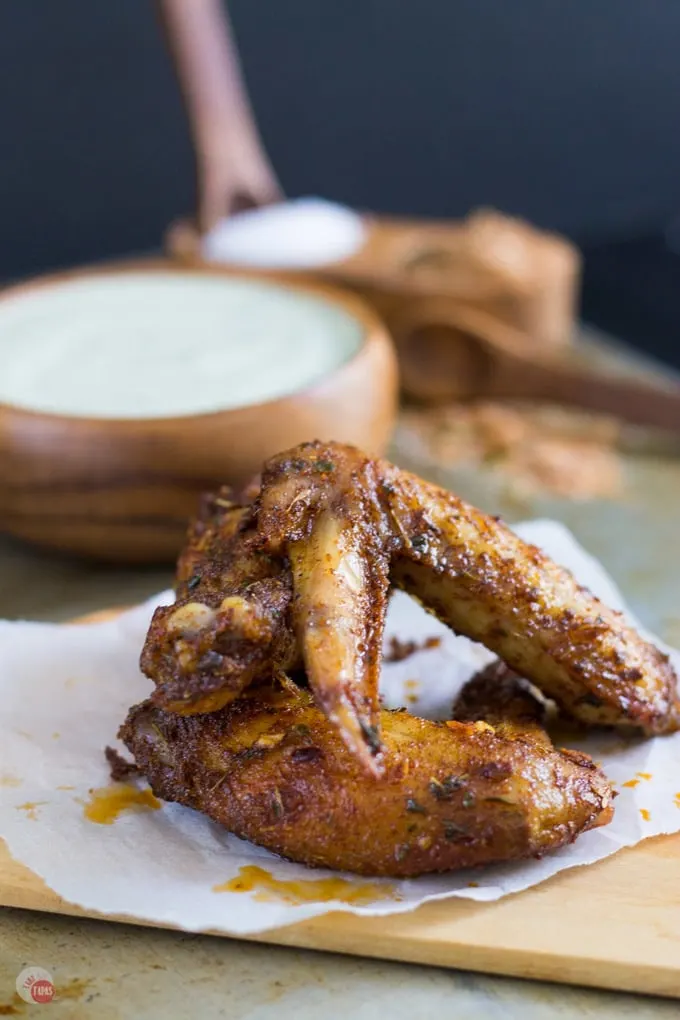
(320, 509)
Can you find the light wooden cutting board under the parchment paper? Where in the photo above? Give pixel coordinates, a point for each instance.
(615, 925)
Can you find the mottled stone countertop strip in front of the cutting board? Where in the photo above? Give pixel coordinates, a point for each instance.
(119, 973)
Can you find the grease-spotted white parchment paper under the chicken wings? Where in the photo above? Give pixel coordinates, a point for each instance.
(66, 690)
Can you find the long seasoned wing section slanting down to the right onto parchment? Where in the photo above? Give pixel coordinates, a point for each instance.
(482, 580)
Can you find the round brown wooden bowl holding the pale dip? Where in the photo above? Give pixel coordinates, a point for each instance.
(123, 489)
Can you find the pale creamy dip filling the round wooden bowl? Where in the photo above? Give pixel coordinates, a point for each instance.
(164, 344)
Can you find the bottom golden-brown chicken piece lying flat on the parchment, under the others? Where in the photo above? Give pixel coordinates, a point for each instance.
(274, 770)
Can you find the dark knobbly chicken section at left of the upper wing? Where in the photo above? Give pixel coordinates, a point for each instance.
(229, 627)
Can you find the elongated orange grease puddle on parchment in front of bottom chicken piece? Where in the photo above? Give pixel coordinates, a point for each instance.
(252, 879)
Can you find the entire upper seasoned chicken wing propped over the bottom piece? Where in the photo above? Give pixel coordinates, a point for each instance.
(308, 568)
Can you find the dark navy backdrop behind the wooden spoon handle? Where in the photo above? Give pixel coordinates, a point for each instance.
(566, 114)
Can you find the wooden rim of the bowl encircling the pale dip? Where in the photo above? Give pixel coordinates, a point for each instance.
(374, 332)
